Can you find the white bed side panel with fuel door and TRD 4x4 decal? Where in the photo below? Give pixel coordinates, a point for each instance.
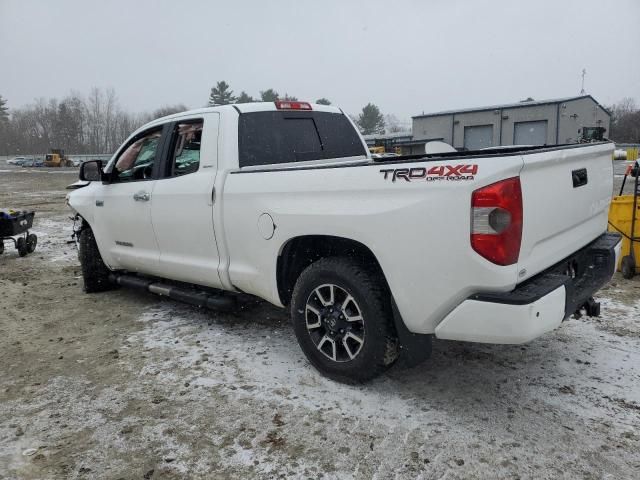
(418, 231)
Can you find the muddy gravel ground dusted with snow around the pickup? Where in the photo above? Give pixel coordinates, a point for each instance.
(128, 385)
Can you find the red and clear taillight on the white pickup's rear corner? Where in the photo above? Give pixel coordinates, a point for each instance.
(496, 221)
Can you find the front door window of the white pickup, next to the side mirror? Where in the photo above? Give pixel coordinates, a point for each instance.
(137, 160)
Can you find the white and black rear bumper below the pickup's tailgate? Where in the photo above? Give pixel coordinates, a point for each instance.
(537, 305)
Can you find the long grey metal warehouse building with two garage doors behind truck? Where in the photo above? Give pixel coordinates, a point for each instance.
(547, 122)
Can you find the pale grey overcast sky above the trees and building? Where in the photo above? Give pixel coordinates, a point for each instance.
(405, 56)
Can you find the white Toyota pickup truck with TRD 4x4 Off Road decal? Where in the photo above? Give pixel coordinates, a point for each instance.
(373, 258)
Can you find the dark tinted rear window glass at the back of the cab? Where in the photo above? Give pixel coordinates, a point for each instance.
(267, 138)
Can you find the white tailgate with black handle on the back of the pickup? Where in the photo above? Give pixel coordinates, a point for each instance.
(565, 195)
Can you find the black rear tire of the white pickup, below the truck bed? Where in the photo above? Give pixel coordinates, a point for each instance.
(378, 349)
